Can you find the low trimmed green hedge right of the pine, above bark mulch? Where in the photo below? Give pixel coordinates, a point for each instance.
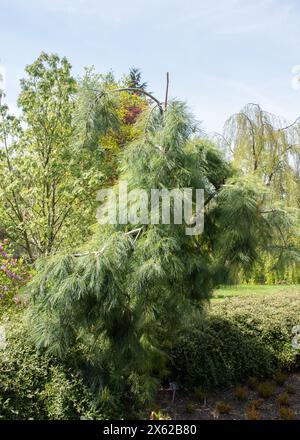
(241, 337)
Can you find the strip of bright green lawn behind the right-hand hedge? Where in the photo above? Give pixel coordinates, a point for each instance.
(258, 290)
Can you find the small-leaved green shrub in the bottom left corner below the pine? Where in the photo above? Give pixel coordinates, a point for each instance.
(34, 385)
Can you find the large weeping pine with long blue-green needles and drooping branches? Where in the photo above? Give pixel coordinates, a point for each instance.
(114, 305)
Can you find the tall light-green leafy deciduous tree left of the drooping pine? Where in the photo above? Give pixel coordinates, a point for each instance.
(43, 177)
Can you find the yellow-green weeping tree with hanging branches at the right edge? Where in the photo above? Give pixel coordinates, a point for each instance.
(265, 146)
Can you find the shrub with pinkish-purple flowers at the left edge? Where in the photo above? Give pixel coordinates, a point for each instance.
(14, 274)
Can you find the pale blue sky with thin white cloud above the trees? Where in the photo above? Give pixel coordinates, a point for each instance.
(220, 54)
